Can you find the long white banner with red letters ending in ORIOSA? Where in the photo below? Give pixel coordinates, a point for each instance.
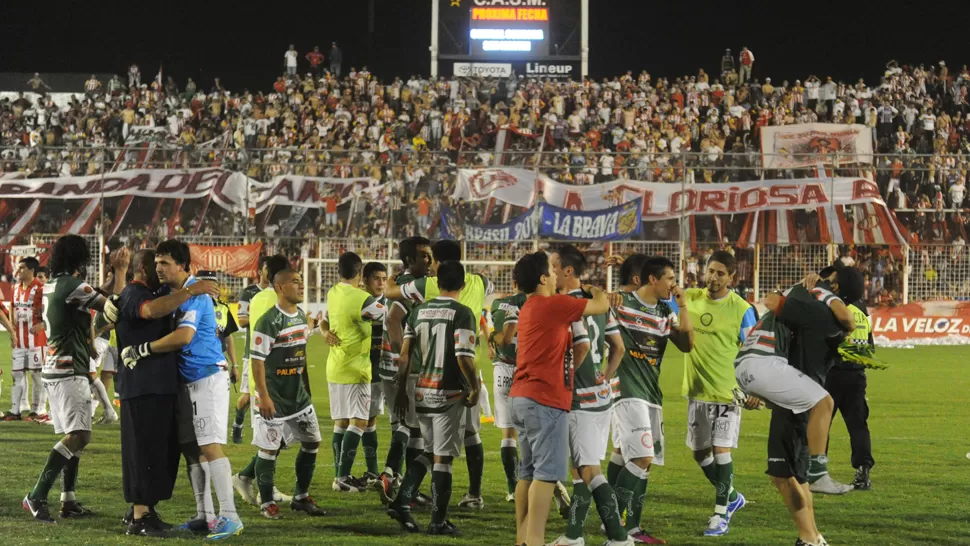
(520, 187)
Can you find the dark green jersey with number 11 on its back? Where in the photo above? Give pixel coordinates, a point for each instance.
(439, 331)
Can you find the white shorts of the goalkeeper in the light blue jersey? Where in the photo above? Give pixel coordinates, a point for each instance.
(203, 412)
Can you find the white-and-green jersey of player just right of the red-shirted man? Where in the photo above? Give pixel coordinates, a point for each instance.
(590, 389)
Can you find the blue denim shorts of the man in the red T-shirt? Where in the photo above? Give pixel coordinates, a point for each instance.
(543, 440)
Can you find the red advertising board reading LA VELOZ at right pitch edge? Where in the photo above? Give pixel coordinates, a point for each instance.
(926, 323)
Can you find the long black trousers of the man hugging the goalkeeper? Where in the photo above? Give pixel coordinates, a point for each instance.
(149, 448)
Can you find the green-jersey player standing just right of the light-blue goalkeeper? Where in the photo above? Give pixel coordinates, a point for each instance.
(285, 411)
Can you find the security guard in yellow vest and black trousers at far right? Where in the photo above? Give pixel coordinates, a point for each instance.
(846, 382)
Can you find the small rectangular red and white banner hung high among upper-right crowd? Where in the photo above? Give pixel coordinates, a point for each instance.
(787, 146)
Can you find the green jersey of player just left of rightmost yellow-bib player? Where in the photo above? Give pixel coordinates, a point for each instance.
(645, 329)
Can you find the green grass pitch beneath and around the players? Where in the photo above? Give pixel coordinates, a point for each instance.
(918, 422)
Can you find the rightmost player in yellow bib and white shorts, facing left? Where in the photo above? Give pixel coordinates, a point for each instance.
(721, 320)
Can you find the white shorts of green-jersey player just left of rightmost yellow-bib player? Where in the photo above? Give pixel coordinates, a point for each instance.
(638, 430)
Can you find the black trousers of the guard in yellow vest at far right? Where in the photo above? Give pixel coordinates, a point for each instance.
(848, 389)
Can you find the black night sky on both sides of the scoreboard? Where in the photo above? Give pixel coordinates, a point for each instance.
(245, 46)
